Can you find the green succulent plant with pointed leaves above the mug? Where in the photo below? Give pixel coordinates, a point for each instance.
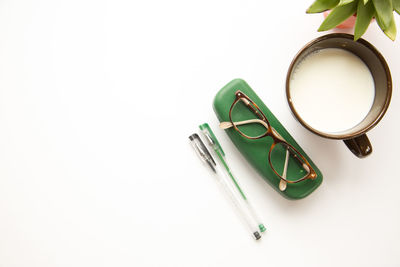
(365, 10)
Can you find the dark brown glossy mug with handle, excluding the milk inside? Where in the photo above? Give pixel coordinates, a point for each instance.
(355, 138)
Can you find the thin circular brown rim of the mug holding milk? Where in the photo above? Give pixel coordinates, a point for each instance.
(345, 135)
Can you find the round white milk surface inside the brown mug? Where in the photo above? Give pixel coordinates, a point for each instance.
(332, 90)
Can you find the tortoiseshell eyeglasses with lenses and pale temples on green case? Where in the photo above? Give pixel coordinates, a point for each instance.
(249, 121)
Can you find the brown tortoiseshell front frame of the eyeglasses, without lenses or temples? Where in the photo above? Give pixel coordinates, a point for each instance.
(270, 132)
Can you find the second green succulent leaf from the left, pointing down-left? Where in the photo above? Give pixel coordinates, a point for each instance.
(337, 16)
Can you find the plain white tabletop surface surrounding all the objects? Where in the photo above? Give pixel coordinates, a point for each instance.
(97, 100)
